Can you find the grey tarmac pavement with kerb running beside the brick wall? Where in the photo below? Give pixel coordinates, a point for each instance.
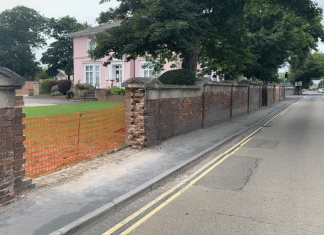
(67, 207)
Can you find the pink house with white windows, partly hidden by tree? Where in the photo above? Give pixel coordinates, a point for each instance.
(93, 72)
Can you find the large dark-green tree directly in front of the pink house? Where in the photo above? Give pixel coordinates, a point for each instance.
(194, 30)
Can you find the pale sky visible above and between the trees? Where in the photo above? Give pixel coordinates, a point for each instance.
(82, 10)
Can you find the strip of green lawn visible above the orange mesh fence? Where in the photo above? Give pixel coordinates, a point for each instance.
(38, 111)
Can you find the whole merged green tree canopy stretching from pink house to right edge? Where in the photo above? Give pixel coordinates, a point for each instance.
(250, 37)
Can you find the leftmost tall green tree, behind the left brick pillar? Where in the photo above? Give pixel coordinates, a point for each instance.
(21, 31)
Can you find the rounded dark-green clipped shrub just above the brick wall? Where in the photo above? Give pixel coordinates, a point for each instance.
(178, 77)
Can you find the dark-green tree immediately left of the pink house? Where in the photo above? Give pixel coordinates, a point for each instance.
(59, 55)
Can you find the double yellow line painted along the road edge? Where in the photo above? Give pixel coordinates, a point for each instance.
(202, 171)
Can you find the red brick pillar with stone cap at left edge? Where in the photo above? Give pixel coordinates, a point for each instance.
(12, 174)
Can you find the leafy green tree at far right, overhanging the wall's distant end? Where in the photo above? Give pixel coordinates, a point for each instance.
(279, 35)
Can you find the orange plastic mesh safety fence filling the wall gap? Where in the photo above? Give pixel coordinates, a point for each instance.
(54, 142)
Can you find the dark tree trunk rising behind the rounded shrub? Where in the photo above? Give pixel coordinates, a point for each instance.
(190, 58)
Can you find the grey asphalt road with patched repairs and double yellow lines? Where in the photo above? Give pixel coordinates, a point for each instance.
(270, 183)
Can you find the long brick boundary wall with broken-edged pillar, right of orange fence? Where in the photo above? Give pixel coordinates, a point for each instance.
(156, 112)
